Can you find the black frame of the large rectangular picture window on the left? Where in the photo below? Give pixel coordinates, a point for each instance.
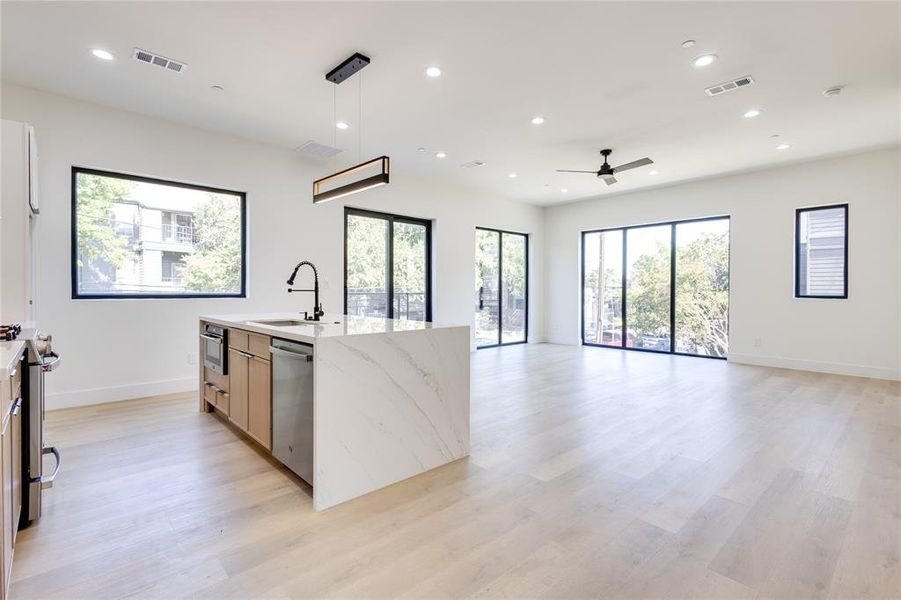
(73, 259)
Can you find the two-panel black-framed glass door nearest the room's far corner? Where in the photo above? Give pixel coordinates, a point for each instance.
(501, 288)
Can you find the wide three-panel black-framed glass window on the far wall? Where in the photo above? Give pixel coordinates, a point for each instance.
(660, 287)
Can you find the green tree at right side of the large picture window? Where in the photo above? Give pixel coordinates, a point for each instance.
(215, 264)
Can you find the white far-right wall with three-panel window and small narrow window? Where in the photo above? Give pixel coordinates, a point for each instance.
(858, 336)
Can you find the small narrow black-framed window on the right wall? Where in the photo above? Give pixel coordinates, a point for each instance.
(821, 252)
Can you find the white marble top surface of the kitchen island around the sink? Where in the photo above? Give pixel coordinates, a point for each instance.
(330, 325)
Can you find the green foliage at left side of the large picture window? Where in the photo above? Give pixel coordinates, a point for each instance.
(98, 241)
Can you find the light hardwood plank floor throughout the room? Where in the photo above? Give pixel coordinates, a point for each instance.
(594, 473)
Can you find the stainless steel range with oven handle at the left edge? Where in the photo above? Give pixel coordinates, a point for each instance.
(41, 360)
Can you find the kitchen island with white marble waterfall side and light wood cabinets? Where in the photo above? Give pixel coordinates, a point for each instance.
(390, 398)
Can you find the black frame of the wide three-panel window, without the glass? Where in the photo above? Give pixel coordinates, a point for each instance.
(624, 335)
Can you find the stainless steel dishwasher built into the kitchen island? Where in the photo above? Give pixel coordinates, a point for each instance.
(292, 406)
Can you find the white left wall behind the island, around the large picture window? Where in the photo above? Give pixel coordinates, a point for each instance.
(117, 349)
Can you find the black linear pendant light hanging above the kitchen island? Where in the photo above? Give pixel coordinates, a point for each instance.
(376, 171)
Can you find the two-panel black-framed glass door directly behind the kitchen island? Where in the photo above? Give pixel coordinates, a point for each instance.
(387, 265)
